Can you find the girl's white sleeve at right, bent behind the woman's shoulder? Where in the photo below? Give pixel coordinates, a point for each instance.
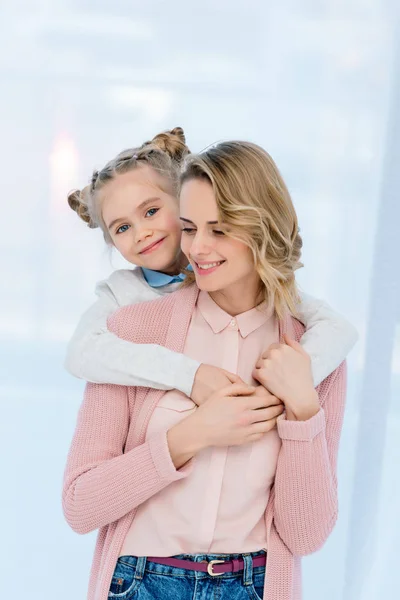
(328, 338)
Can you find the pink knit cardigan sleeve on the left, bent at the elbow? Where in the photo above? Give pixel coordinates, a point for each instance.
(101, 483)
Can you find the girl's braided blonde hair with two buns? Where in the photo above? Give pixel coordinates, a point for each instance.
(164, 154)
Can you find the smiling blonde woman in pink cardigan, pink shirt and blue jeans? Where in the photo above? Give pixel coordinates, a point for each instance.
(215, 499)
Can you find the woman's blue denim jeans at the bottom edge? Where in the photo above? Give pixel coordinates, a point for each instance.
(136, 578)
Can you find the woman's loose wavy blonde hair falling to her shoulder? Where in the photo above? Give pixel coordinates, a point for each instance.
(255, 204)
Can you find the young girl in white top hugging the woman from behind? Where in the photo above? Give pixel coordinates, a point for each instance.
(139, 216)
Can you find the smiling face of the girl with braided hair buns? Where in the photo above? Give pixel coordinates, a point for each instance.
(142, 218)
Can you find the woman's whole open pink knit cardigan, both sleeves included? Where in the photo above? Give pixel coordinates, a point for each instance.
(111, 469)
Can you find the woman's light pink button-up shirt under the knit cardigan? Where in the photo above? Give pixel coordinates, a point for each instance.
(220, 507)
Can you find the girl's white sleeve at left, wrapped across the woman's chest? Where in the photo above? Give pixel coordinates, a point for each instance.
(98, 356)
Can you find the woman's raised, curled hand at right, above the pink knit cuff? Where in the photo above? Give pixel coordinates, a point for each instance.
(285, 370)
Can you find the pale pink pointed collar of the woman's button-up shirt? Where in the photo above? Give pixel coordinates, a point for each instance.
(219, 320)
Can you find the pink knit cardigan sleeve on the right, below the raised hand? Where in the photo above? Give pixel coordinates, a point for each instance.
(306, 499)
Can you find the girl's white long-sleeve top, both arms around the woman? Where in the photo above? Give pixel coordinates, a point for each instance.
(99, 356)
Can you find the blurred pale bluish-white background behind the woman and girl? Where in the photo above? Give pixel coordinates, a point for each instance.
(317, 83)
